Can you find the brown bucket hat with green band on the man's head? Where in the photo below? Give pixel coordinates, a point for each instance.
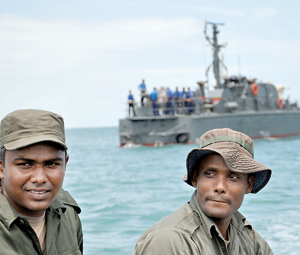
(236, 149)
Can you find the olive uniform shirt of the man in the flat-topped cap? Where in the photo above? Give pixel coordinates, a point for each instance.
(63, 236)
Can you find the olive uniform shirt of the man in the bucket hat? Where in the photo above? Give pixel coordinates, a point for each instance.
(189, 231)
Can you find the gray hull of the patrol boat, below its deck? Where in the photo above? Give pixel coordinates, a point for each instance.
(161, 130)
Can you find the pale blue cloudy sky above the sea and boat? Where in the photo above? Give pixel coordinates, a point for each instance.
(80, 58)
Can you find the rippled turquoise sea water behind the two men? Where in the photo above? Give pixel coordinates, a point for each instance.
(122, 192)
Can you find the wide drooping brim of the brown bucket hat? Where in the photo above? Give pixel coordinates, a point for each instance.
(235, 159)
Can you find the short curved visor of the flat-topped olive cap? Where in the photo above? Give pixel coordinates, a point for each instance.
(20, 143)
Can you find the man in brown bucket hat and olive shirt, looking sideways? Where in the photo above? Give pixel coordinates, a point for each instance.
(222, 170)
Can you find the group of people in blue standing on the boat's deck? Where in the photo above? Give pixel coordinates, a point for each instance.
(173, 101)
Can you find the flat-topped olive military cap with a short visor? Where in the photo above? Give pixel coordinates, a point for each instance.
(22, 128)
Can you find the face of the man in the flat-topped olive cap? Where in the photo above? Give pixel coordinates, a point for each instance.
(32, 177)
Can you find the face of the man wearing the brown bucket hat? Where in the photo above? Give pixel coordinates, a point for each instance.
(220, 191)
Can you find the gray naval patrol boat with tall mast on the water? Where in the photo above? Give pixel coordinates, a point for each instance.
(254, 108)
